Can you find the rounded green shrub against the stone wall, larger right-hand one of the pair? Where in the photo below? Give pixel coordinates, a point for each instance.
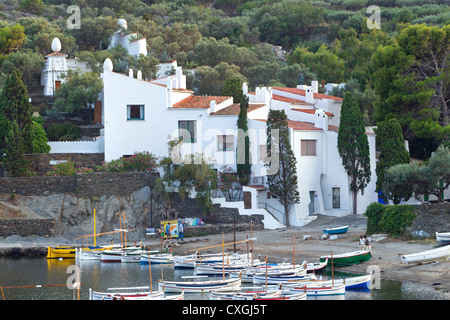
(396, 218)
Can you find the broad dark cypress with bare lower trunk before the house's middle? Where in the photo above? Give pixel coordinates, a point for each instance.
(283, 182)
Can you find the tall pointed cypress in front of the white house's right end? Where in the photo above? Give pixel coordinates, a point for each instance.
(353, 146)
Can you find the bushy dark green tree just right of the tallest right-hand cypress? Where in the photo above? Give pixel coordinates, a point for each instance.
(391, 145)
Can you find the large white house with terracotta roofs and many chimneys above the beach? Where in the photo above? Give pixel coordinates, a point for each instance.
(144, 115)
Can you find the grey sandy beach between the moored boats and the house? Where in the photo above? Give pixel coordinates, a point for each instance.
(279, 245)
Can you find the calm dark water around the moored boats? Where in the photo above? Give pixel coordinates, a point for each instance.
(54, 275)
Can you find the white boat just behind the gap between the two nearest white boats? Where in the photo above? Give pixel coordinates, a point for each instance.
(198, 286)
